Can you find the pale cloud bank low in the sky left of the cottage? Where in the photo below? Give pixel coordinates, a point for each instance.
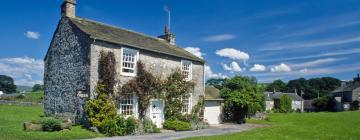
(25, 70)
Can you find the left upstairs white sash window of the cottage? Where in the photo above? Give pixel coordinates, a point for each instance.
(129, 60)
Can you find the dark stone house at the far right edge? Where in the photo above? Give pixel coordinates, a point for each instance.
(347, 93)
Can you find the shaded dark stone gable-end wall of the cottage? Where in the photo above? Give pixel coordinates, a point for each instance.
(67, 70)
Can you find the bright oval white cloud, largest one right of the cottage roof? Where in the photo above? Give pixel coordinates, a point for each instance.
(233, 54)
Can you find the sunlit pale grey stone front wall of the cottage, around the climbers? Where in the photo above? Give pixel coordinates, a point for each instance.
(159, 64)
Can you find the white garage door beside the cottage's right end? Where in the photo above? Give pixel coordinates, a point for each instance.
(212, 112)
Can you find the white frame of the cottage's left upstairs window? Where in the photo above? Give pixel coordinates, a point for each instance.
(136, 58)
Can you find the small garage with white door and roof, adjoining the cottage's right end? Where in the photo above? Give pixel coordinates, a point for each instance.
(213, 105)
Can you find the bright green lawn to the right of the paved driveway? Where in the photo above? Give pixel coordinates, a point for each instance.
(311, 126)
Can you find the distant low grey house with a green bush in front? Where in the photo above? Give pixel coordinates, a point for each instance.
(272, 99)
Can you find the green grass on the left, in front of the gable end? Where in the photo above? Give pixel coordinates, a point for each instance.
(12, 118)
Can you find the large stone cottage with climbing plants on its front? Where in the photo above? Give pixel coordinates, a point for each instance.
(71, 65)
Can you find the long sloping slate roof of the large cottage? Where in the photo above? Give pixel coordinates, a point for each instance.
(116, 35)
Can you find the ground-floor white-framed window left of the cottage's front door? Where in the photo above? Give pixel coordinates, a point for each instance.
(128, 105)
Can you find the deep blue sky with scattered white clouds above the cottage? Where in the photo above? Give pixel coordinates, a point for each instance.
(266, 39)
